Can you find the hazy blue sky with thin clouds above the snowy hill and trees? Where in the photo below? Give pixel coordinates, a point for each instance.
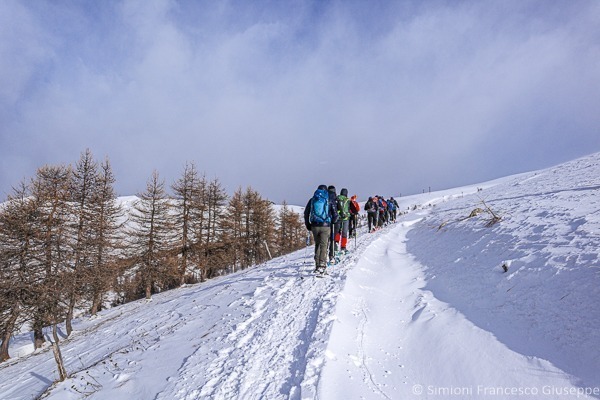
(379, 97)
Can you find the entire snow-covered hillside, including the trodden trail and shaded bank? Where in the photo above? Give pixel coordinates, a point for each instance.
(420, 309)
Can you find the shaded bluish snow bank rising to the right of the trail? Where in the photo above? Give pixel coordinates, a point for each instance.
(546, 304)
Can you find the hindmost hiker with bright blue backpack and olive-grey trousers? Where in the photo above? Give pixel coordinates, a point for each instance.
(319, 216)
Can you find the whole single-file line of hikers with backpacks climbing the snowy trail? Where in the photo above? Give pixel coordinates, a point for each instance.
(333, 218)
